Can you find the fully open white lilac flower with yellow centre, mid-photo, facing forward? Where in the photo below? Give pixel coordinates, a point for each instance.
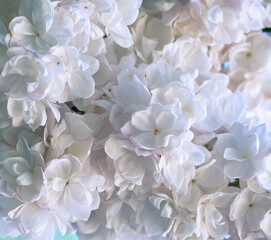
(158, 128)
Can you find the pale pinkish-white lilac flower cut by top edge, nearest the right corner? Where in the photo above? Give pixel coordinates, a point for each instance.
(227, 21)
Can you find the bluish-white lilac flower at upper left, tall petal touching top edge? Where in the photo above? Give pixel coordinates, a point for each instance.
(34, 29)
